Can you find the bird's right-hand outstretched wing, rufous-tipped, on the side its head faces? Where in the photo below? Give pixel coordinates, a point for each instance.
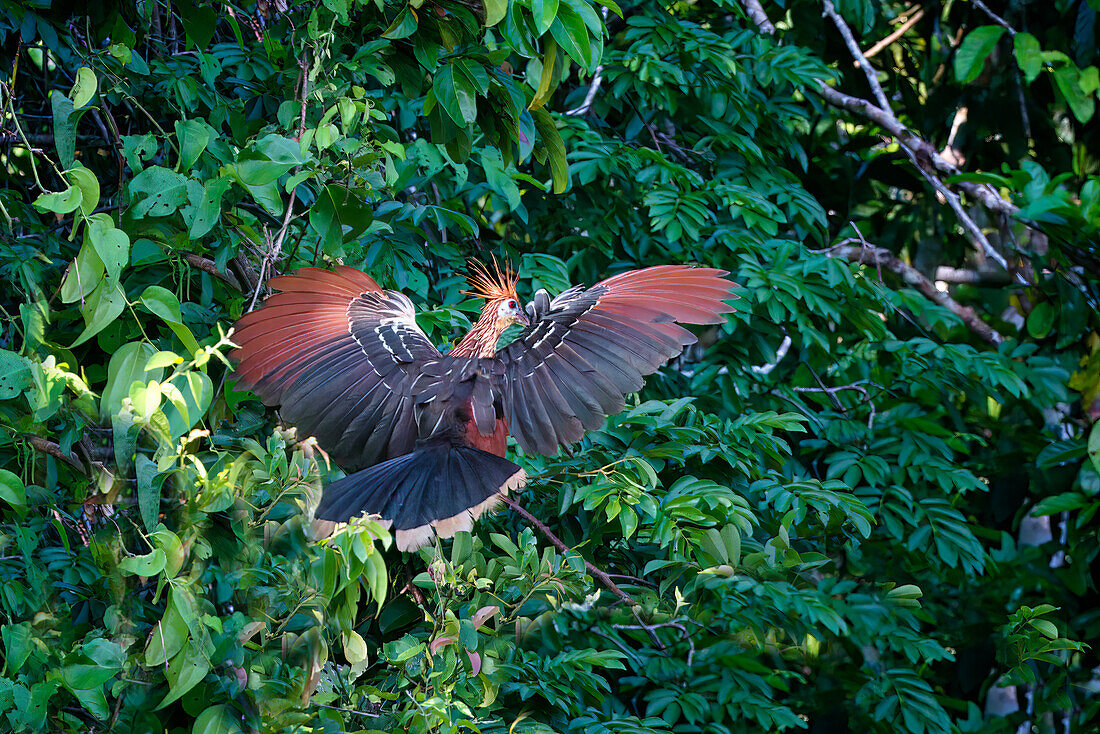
(586, 350)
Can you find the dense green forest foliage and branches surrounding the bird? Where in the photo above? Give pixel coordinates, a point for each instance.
(868, 502)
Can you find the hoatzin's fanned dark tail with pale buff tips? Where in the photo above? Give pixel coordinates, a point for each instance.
(436, 490)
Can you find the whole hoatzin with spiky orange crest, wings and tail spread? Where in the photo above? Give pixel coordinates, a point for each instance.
(425, 433)
